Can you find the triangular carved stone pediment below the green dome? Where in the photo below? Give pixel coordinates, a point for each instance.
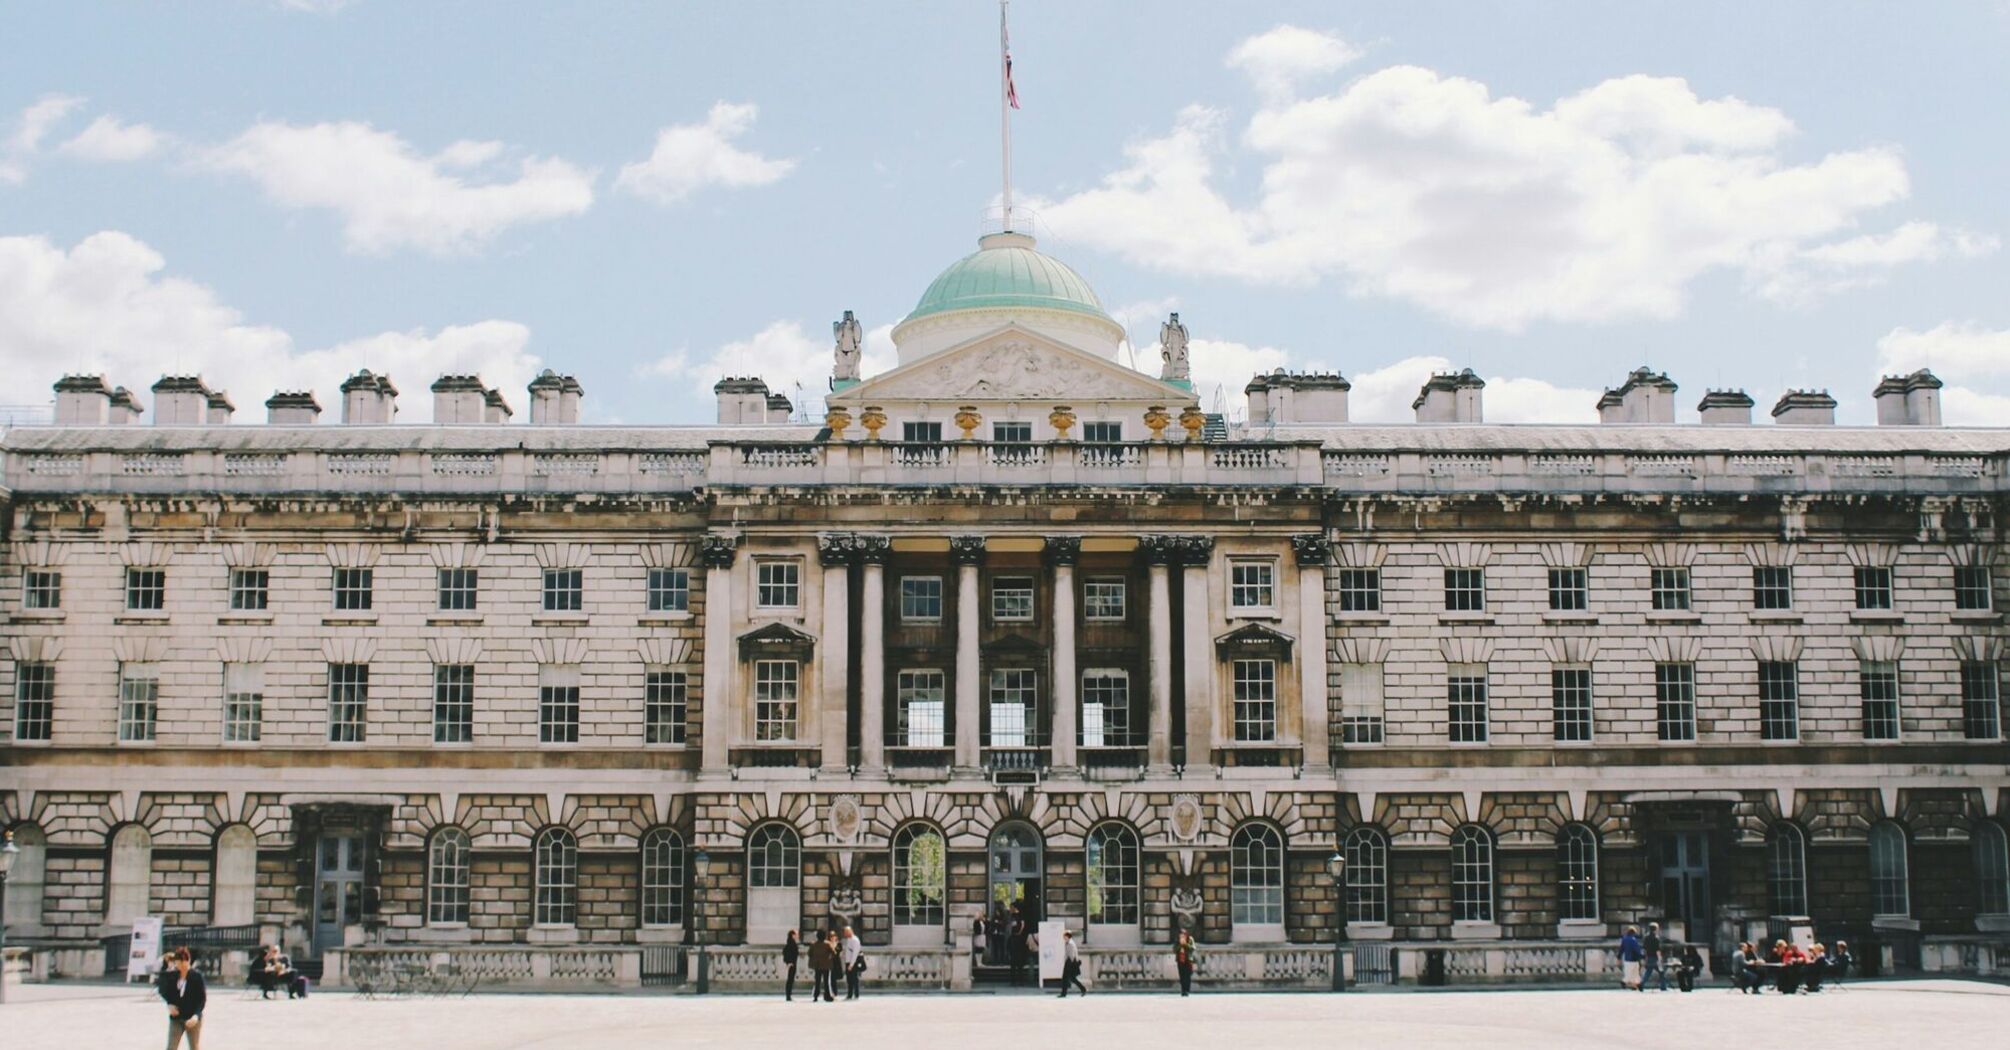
(1012, 365)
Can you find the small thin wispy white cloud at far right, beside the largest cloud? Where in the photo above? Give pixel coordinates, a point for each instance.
(1860, 262)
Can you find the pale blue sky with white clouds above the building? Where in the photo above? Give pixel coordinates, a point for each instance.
(274, 194)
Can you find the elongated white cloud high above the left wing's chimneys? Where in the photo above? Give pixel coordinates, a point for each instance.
(389, 196)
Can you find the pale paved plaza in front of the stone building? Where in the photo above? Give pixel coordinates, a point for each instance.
(1955, 1015)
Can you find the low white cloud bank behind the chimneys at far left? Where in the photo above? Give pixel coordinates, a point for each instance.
(110, 307)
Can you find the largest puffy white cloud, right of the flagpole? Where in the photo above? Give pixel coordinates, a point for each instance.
(1490, 212)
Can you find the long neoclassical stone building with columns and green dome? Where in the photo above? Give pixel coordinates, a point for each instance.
(1014, 627)
